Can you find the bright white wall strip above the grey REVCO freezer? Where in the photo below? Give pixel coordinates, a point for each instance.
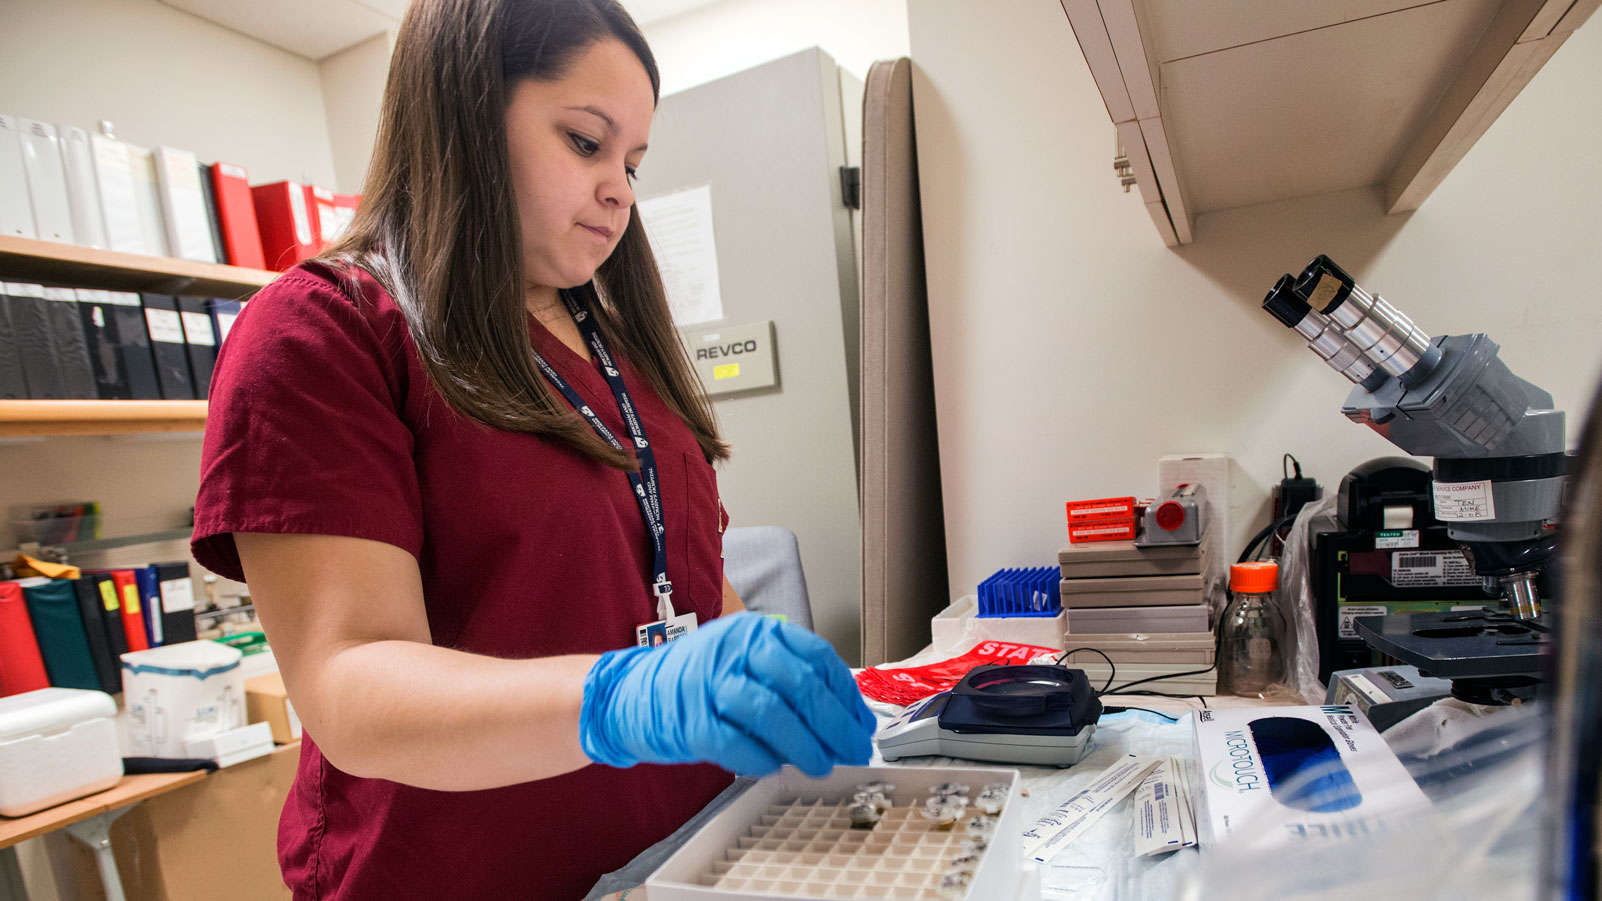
(728, 38)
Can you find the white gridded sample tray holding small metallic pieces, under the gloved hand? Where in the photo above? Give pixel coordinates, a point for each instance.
(789, 838)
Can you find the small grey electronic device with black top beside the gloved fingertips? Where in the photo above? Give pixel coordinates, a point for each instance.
(1032, 714)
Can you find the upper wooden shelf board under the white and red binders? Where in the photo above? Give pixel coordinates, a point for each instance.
(23, 259)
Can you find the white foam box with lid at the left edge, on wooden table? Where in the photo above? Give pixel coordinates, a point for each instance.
(57, 745)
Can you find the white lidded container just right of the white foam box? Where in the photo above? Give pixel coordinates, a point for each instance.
(180, 693)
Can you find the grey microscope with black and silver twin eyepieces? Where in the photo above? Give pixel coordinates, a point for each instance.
(1497, 480)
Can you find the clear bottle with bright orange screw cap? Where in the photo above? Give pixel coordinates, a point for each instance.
(1252, 636)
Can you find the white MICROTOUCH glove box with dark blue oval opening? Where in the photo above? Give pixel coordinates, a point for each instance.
(1287, 775)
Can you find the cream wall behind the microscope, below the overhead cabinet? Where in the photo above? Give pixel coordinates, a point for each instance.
(1073, 349)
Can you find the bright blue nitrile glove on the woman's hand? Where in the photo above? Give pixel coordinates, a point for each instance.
(744, 692)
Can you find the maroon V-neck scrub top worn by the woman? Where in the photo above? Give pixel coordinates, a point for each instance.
(324, 422)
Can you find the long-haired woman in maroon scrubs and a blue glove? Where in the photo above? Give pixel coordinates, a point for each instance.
(465, 467)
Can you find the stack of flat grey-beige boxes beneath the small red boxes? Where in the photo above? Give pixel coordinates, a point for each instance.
(1146, 608)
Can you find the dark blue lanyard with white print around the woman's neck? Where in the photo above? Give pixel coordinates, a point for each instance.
(645, 483)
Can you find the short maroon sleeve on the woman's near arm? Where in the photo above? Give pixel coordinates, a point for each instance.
(305, 430)
